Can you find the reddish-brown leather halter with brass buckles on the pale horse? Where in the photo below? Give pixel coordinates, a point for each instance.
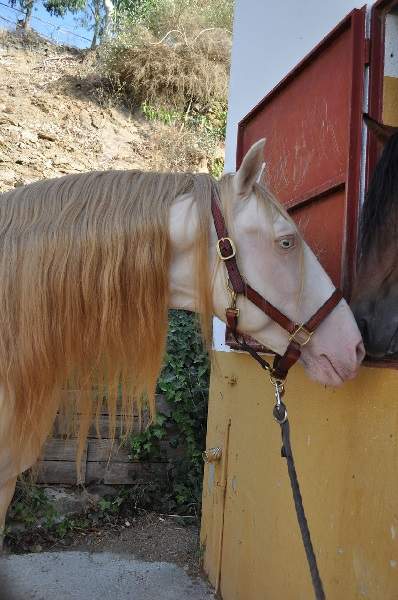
(299, 334)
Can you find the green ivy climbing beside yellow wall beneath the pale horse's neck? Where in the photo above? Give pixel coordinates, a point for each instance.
(184, 382)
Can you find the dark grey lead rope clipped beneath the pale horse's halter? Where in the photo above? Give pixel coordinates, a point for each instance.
(280, 415)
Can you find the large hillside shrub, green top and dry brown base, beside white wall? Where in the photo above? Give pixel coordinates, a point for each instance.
(171, 53)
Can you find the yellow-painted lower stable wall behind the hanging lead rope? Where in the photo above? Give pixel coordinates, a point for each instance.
(346, 449)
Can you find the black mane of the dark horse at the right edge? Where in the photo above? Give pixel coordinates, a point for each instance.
(381, 204)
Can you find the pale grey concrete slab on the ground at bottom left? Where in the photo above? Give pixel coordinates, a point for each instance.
(101, 576)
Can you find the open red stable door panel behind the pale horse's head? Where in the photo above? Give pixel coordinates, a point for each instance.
(312, 122)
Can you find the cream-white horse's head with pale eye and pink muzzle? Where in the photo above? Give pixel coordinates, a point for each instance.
(277, 262)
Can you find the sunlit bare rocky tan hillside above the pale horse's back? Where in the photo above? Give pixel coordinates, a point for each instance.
(54, 120)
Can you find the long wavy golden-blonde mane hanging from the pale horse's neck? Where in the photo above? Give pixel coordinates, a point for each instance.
(84, 292)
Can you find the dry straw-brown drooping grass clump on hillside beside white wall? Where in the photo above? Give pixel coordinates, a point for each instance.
(174, 71)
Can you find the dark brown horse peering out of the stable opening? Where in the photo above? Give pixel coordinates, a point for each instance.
(375, 296)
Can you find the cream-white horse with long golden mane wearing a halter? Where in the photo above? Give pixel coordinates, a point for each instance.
(90, 264)
